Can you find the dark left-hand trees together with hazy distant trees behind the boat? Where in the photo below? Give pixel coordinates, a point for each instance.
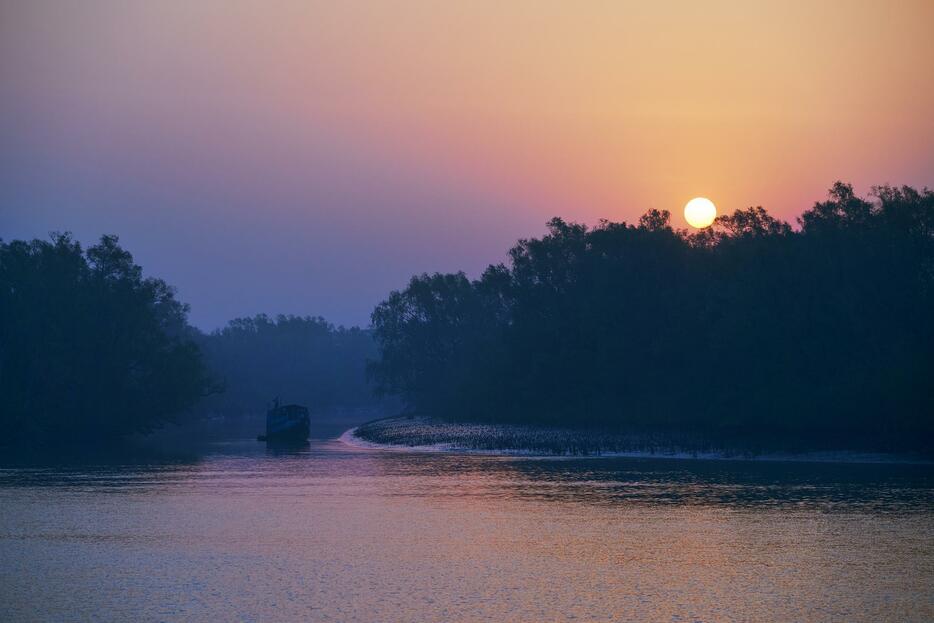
(90, 350)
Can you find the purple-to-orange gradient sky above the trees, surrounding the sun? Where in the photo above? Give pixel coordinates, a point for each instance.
(309, 157)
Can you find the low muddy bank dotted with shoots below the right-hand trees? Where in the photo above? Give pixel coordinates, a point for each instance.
(423, 434)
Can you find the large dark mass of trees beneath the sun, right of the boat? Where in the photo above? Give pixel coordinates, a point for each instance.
(746, 328)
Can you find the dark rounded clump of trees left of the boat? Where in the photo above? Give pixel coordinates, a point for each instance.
(89, 348)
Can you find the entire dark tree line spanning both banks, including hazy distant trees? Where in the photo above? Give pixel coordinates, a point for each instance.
(749, 327)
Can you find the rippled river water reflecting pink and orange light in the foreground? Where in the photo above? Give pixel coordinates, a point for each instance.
(332, 533)
